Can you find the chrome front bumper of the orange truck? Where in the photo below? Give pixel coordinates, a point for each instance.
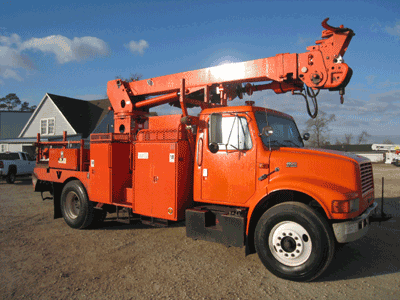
(354, 229)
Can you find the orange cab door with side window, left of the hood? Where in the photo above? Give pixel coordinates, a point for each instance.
(229, 174)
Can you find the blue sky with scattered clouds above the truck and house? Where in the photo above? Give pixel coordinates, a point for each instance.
(73, 49)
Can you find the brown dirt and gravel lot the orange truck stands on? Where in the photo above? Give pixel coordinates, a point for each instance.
(42, 258)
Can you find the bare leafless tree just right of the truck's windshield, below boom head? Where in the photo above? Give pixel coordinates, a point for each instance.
(319, 129)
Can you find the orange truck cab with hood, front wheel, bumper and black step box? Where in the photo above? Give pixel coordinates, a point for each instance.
(253, 161)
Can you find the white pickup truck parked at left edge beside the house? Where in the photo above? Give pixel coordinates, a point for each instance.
(13, 164)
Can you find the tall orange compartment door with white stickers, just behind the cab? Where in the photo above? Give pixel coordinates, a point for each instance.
(155, 180)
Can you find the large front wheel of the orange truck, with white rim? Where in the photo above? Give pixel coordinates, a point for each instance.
(294, 242)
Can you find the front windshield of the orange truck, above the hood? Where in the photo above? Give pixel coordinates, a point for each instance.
(285, 133)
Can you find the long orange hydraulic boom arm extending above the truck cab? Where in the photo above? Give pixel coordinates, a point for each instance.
(321, 67)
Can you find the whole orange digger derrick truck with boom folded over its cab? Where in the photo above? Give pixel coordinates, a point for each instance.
(237, 175)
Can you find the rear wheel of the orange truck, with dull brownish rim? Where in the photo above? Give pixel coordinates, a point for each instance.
(76, 209)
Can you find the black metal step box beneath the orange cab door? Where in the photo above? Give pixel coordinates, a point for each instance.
(219, 224)
